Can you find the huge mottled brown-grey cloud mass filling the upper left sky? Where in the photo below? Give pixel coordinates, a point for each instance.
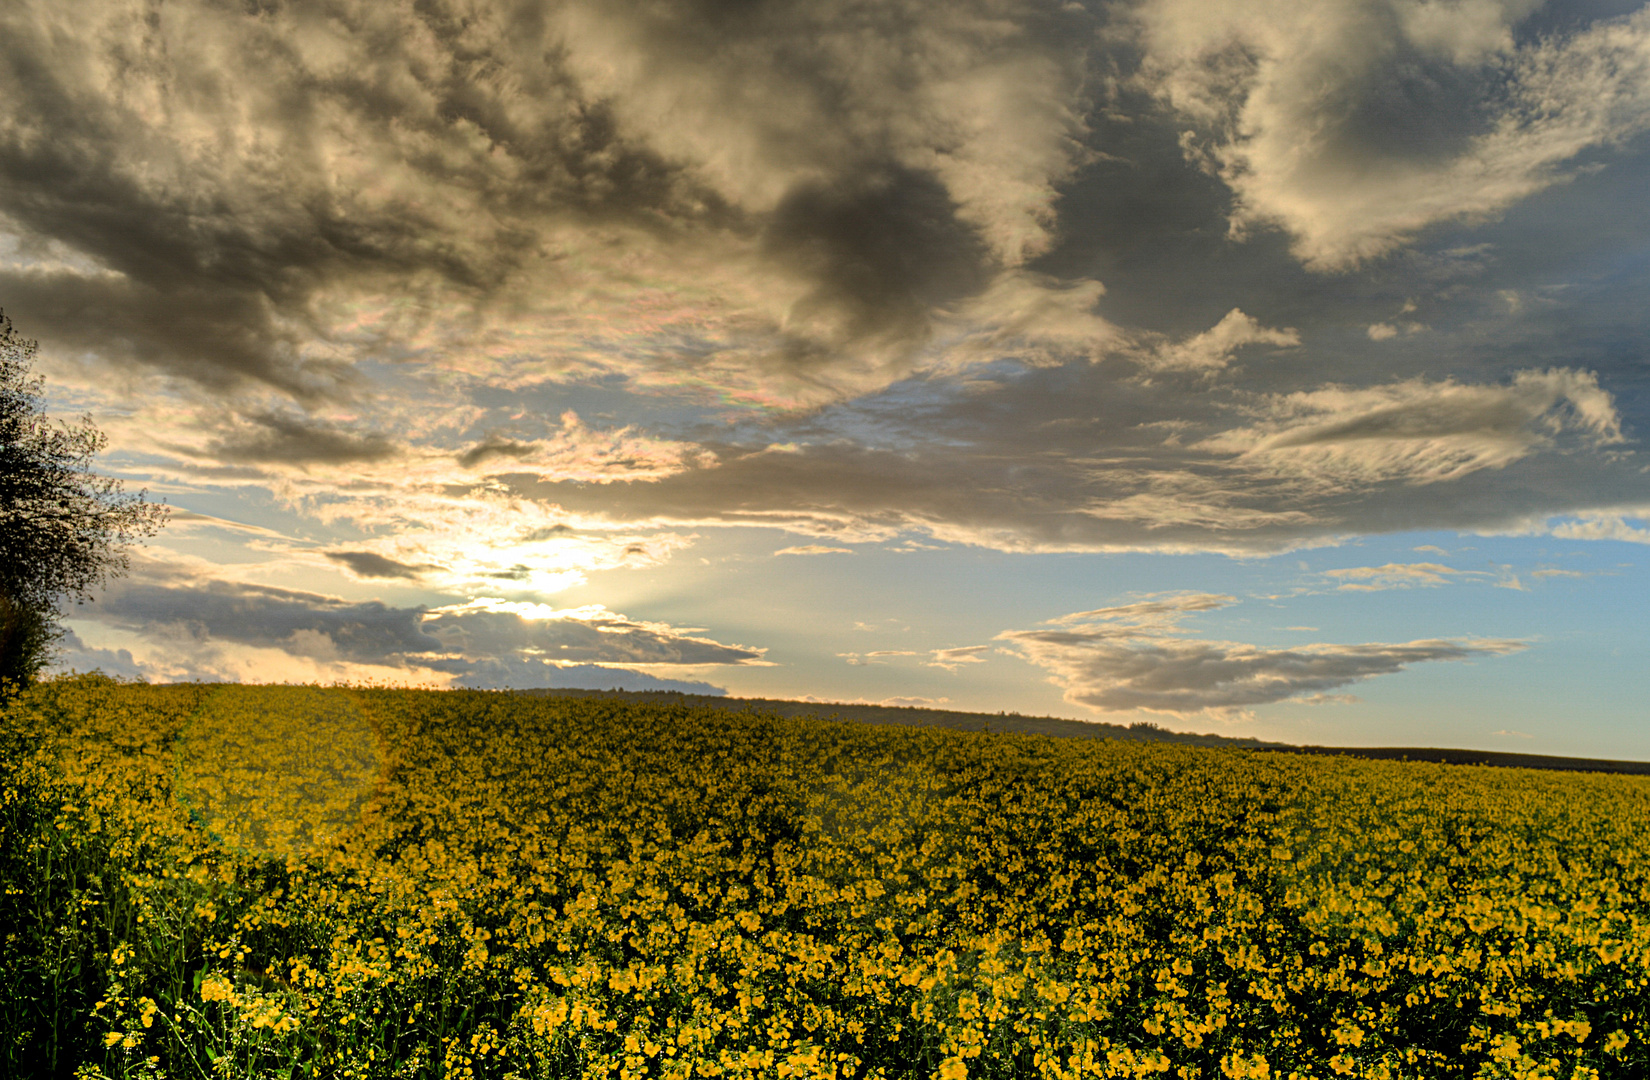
(780, 205)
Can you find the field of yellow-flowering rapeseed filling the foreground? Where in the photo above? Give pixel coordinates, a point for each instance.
(230, 881)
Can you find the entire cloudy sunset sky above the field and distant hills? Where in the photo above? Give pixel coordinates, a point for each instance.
(1265, 370)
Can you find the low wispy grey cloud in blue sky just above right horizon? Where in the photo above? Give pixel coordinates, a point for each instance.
(1133, 659)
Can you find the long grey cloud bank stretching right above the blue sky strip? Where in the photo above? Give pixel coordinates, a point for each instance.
(1093, 459)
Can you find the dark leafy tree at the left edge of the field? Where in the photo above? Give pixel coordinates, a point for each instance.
(64, 528)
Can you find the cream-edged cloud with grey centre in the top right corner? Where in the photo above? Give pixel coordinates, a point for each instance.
(1355, 124)
